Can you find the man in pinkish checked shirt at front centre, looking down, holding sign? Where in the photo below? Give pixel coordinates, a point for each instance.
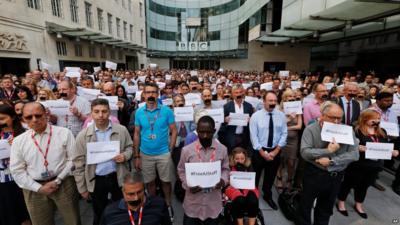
(203, 205)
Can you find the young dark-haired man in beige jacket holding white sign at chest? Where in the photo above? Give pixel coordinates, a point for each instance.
(97, 180)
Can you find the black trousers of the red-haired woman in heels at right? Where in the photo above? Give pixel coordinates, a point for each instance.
(359, 178)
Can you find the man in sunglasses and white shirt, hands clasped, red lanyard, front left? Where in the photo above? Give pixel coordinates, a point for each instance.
(41, 164)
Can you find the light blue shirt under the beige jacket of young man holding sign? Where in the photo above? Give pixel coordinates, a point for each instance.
(110, 166)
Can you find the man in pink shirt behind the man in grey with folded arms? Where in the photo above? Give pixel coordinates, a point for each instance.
(312, 109)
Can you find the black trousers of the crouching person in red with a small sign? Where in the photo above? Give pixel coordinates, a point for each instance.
(245, 204)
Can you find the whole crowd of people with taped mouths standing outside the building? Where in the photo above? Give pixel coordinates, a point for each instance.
(48, 166)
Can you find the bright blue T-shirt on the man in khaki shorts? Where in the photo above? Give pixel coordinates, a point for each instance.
(162, 117)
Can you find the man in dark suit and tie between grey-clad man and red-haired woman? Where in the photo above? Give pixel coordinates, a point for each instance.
(349, 105)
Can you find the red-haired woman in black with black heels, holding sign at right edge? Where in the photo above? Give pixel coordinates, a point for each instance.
(361, 174)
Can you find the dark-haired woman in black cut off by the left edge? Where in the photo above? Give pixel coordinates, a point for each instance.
(12, 206)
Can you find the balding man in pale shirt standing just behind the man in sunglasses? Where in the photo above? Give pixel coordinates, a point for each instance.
(79, 110)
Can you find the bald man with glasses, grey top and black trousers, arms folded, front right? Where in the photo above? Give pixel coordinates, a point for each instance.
(325, 167)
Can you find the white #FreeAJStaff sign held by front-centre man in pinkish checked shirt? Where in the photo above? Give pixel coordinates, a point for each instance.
(205, 175)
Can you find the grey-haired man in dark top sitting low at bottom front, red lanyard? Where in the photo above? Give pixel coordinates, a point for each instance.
(136, 207)
